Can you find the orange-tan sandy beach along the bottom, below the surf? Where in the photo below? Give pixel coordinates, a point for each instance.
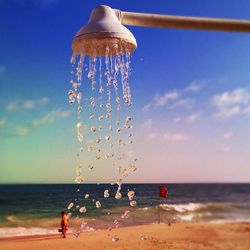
(176, 236)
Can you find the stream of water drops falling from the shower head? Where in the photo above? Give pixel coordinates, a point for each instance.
(101, 95)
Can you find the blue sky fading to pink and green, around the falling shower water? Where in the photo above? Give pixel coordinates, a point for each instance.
(191, 93)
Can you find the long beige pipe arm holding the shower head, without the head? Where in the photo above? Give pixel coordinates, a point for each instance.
(182, 22)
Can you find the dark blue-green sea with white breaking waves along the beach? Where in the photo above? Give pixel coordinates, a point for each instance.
(35, 209)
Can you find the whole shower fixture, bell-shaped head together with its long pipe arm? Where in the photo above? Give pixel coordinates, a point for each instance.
(105, 29)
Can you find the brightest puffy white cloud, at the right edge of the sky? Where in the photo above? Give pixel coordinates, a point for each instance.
(232, 103)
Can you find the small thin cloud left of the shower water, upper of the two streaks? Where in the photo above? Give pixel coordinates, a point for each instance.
(26, 104)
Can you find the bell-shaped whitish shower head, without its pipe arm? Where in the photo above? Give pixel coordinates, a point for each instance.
(104, 30)
